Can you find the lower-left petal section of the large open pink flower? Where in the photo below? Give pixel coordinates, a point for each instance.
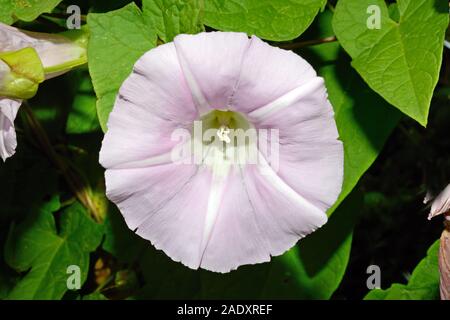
(166, 204)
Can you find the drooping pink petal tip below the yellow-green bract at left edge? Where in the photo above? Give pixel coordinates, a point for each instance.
(8, 141)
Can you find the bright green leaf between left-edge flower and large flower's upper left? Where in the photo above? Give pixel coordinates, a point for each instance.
(118, 39)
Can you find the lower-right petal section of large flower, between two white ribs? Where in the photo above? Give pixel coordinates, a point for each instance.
(259, 216)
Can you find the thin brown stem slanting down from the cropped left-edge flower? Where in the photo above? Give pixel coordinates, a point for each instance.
(80, 189)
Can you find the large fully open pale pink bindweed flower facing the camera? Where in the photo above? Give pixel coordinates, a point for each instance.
(225, 203)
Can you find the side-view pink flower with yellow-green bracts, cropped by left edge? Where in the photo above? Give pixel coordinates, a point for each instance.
(26, 60)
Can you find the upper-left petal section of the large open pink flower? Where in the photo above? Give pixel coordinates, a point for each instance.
(152, 103)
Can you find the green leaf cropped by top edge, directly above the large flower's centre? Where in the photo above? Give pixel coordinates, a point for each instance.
(278, 20)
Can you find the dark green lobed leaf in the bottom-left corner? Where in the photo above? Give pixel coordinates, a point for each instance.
(44, 253)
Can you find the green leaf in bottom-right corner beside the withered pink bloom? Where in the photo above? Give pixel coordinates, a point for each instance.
(423, 284)
